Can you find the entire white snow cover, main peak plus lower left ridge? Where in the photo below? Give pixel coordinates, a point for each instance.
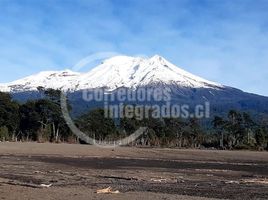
(119, 71)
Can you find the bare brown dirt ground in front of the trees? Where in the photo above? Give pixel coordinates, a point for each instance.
(78, 171)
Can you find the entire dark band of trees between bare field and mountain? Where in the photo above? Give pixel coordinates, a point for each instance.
(41, 120)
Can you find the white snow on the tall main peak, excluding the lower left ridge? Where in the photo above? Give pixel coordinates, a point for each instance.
(133, 72)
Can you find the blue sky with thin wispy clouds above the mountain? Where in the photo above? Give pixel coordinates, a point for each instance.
(224, 41)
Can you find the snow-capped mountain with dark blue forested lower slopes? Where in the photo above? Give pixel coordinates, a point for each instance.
(136, 72)
